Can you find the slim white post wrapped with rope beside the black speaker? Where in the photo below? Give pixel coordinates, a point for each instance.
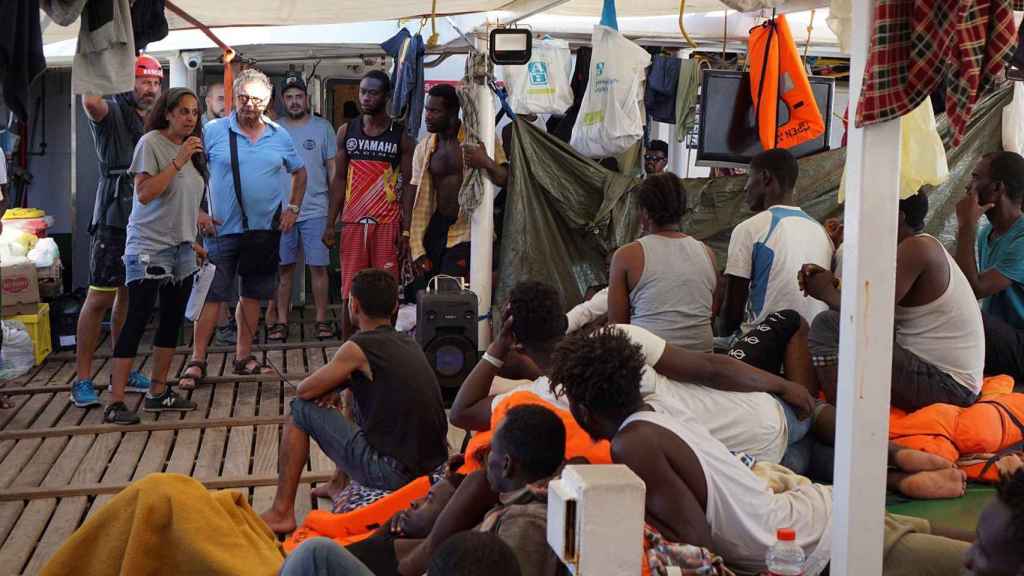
(483, 224)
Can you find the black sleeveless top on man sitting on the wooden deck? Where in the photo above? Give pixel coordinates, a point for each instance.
(401, 410)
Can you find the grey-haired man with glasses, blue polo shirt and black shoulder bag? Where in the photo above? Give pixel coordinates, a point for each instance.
(265, 151)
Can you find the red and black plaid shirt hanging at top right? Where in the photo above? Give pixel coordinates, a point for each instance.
(918, 44)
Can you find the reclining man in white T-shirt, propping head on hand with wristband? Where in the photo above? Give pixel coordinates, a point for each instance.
(733, 399)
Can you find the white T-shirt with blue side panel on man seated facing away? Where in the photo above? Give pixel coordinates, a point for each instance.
(770, 250)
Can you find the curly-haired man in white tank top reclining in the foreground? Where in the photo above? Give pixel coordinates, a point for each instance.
(698, 491)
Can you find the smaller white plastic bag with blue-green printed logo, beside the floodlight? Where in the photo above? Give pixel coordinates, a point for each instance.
(544, 86)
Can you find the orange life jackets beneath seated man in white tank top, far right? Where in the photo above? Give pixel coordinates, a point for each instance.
(992, 426)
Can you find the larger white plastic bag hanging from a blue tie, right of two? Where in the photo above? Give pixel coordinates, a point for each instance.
(611, 118)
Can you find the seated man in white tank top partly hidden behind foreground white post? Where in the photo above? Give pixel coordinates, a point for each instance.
(940, 349)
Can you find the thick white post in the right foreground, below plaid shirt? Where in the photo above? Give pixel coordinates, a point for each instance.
(866, 347)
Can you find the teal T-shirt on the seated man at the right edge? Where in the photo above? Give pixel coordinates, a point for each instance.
(1007, 256)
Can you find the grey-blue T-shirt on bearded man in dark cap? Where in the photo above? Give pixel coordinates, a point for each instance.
(316, 144)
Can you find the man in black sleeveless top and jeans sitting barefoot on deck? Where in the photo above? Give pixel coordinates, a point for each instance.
(400, 432)
